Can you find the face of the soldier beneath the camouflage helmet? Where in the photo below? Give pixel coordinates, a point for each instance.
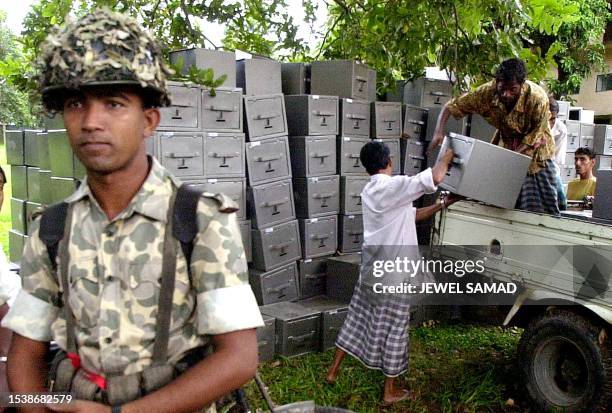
(107, 129)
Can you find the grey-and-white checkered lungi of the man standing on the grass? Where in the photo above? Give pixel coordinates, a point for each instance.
(376, 332)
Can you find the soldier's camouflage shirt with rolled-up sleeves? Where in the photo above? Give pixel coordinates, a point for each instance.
(114, 277)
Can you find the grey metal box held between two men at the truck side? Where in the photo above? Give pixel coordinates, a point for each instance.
(480, 169)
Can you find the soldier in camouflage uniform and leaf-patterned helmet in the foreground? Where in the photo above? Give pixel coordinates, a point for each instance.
(102, 305)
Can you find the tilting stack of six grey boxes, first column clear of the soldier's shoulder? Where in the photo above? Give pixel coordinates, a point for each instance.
(275, 233)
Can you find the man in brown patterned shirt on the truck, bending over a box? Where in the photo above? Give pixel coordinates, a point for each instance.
(519, 109)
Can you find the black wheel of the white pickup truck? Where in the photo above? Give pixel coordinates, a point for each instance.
(563, 364)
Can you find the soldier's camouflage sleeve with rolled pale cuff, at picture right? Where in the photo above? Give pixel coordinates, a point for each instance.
(225, 301)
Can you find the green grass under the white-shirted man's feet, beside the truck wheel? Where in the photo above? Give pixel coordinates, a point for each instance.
(453, 369)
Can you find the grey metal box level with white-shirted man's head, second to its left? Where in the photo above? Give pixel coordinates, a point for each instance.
(312, 155)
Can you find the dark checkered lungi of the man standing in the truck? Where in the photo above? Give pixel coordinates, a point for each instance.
(539, 191)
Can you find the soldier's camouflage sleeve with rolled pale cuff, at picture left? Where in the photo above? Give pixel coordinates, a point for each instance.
(36, 306)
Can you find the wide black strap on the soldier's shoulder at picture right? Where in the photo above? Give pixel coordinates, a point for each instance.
(184, 223)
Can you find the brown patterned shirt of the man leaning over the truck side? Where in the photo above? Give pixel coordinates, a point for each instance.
(527, 123)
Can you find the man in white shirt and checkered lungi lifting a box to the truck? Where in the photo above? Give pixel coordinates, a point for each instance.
(376, 332)
